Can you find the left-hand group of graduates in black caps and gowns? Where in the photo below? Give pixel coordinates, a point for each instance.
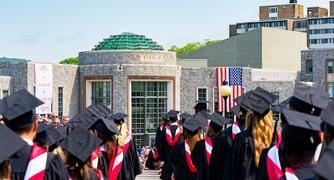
(95, 144)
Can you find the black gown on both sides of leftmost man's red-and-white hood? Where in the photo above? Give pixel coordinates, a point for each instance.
(55, 167)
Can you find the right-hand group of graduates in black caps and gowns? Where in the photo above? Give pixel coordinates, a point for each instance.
(208, 146)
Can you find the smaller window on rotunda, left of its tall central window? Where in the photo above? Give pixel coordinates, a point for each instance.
(101, 93)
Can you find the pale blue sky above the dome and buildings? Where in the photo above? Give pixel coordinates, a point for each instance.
(49, 31)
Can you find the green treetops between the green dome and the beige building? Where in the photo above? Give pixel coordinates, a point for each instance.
(192, 46)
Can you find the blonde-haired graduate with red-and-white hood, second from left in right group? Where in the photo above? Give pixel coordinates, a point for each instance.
(183, 167)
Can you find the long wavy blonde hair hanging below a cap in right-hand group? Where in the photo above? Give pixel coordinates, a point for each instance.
(262, 131)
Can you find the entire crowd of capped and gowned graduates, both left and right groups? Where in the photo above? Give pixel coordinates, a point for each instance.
(96, 144)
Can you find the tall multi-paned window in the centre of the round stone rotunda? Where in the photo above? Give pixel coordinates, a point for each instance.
(148, 103)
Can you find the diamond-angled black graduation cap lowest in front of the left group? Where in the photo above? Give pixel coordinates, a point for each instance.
(81, 143)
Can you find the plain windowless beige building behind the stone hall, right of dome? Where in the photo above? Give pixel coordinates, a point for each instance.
(260, 48)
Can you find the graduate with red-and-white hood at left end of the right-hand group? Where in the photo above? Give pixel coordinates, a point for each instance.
(170, 136)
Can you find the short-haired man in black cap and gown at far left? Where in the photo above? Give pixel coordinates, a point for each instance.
(19, 115)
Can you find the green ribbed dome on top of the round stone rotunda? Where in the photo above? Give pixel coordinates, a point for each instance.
(128, 41)
